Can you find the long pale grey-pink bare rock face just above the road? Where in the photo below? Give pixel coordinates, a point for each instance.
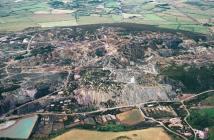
(130, 94)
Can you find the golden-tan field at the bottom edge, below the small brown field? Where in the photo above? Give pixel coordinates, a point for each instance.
(145, 134)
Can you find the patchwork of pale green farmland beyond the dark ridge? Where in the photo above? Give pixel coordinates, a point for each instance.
(16, 15)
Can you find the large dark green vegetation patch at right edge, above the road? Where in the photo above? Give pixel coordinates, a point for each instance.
(202, 78)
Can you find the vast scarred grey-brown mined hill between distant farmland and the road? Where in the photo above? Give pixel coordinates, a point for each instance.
(97, 67)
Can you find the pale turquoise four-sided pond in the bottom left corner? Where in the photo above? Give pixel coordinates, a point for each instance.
(21, 130)
